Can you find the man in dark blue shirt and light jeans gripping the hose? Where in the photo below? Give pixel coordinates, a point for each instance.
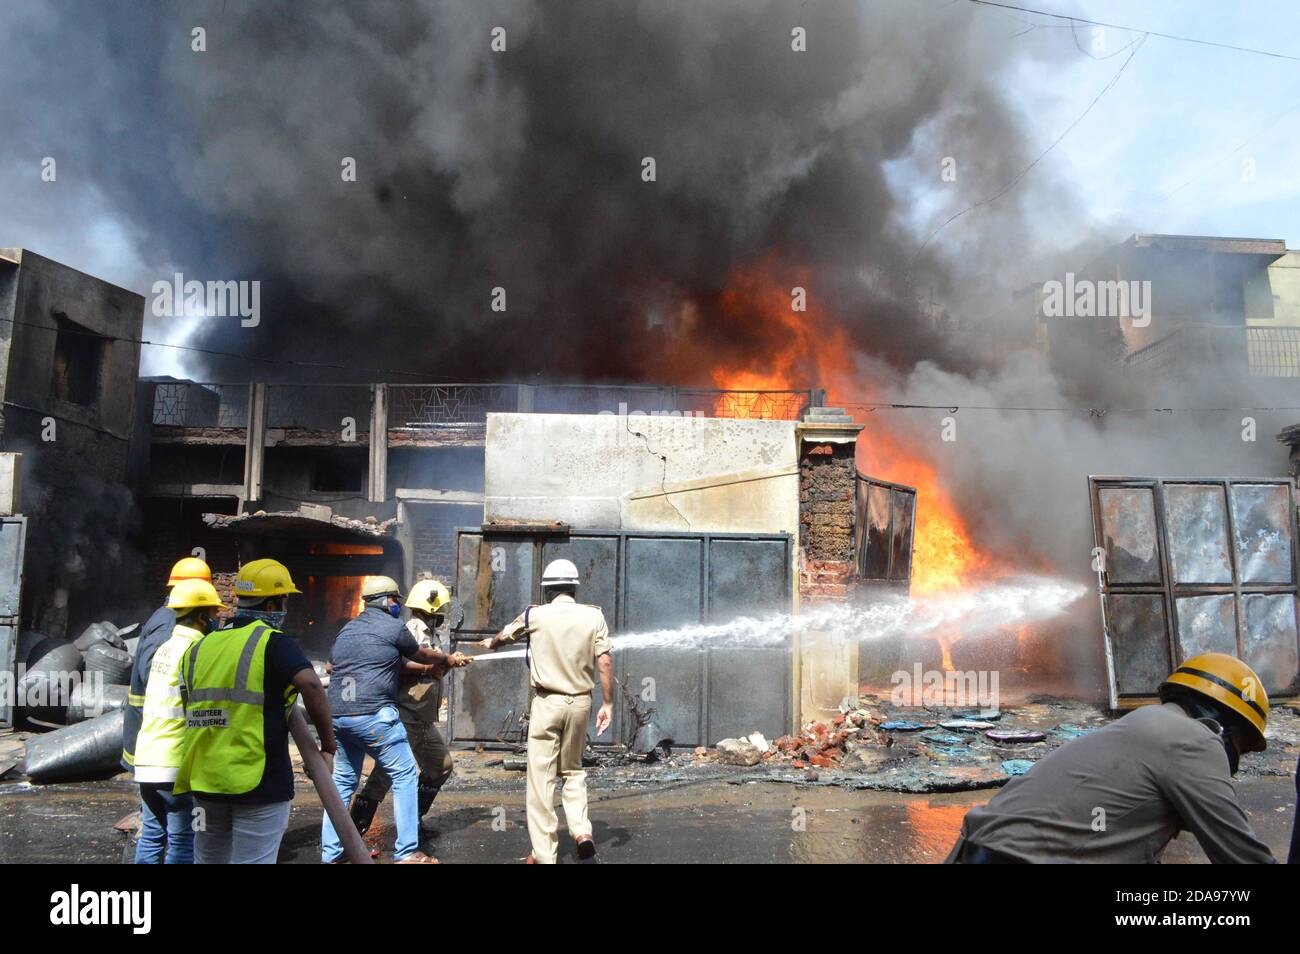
(366, 662)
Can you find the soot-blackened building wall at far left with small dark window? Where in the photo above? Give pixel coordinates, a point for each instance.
(83, 519)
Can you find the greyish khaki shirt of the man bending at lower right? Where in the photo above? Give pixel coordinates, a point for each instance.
(1119, 796)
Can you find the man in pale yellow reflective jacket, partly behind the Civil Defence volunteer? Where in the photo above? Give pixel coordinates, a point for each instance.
(161, 740)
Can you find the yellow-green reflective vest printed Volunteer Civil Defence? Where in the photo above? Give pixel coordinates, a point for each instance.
(223, 686)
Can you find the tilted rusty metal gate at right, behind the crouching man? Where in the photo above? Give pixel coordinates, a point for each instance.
(1195, 566)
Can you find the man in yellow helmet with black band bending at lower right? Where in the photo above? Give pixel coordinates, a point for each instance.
(1120, 795)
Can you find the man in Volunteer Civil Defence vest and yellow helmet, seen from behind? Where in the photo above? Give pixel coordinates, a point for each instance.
(240, 686)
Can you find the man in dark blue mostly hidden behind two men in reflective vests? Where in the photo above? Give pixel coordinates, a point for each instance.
(161, 836)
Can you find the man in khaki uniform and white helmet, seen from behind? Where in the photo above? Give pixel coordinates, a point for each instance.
(566, 644)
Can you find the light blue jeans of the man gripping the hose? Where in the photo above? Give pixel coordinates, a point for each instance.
(382, 736)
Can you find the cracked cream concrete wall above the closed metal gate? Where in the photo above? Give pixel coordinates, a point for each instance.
(643, 474)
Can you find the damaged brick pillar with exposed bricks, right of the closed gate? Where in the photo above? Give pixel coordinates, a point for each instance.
(827, 665)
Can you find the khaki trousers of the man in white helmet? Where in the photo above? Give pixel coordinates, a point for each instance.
(557, 734)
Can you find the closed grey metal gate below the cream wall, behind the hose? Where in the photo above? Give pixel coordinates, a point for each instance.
(644, 582)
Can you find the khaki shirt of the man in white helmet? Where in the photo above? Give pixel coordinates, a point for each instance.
(565, 640)
